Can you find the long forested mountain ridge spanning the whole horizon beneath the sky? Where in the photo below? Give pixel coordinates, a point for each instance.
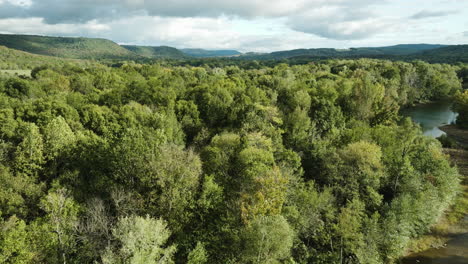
(103, 49)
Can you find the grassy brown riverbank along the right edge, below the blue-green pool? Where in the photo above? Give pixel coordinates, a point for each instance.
(448, 240)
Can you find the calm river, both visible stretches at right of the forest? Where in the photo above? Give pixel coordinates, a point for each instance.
(431, 116)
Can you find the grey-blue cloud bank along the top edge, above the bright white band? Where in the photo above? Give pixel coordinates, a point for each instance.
(86, 10)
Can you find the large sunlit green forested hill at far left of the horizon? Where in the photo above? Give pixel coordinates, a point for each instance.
(76, 48)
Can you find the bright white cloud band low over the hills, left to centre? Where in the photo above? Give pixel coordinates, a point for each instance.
(209, 33)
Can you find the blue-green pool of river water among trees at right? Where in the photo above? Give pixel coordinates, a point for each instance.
(431, 116)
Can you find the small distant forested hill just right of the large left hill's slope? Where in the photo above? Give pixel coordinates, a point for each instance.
(156, 52)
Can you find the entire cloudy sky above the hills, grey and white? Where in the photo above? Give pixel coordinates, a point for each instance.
(245, 25)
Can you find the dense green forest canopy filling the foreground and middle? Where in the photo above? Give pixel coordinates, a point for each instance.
(166, 164)
